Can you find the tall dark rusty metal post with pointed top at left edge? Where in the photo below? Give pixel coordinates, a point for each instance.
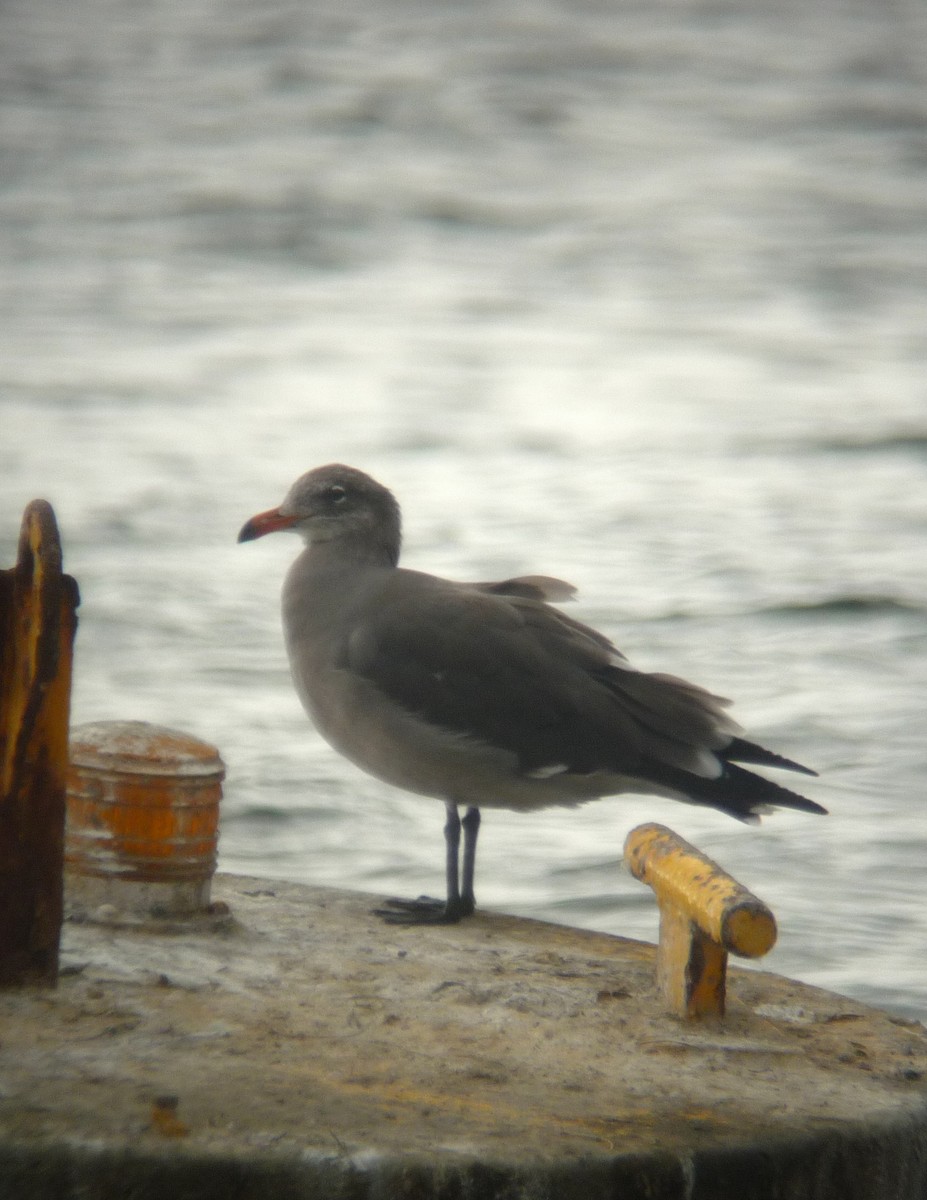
(38, 626)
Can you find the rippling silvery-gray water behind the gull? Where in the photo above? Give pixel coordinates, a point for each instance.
(629, 295)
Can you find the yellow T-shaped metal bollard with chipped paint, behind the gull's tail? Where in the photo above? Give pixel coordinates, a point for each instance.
(704, 915)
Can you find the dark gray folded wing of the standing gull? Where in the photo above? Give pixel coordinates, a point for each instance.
(513, 673)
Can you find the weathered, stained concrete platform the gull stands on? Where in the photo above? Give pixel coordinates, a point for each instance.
(316, 1053)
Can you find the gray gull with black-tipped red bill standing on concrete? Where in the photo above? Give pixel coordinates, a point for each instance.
(482, 694)
